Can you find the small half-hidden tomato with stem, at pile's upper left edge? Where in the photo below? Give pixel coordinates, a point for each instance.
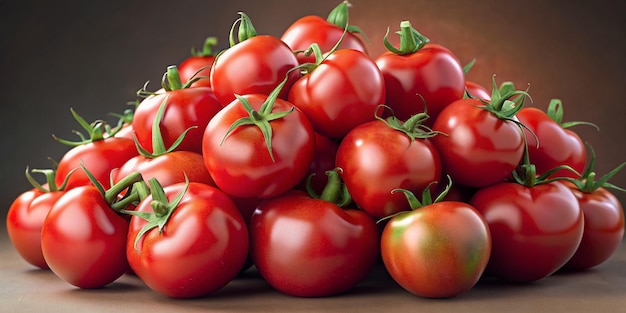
(199, 64)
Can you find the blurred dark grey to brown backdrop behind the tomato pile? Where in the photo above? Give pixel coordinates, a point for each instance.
(94, 55)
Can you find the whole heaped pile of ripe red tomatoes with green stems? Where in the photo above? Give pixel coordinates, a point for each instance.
(311, 160)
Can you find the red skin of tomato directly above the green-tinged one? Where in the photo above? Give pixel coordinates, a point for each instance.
(376, 159)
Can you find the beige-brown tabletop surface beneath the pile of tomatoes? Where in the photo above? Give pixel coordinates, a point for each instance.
(26, 289)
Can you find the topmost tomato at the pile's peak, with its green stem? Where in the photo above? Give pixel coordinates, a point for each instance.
(324, 32)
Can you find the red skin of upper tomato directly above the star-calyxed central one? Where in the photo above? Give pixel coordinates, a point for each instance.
(255, 65)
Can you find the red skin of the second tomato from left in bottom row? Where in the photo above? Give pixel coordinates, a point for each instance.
(83, 240)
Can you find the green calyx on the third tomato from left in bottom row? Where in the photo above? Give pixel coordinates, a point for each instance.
(162, 209)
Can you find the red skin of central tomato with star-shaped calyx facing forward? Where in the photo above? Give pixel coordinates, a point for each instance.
(241, 165)
